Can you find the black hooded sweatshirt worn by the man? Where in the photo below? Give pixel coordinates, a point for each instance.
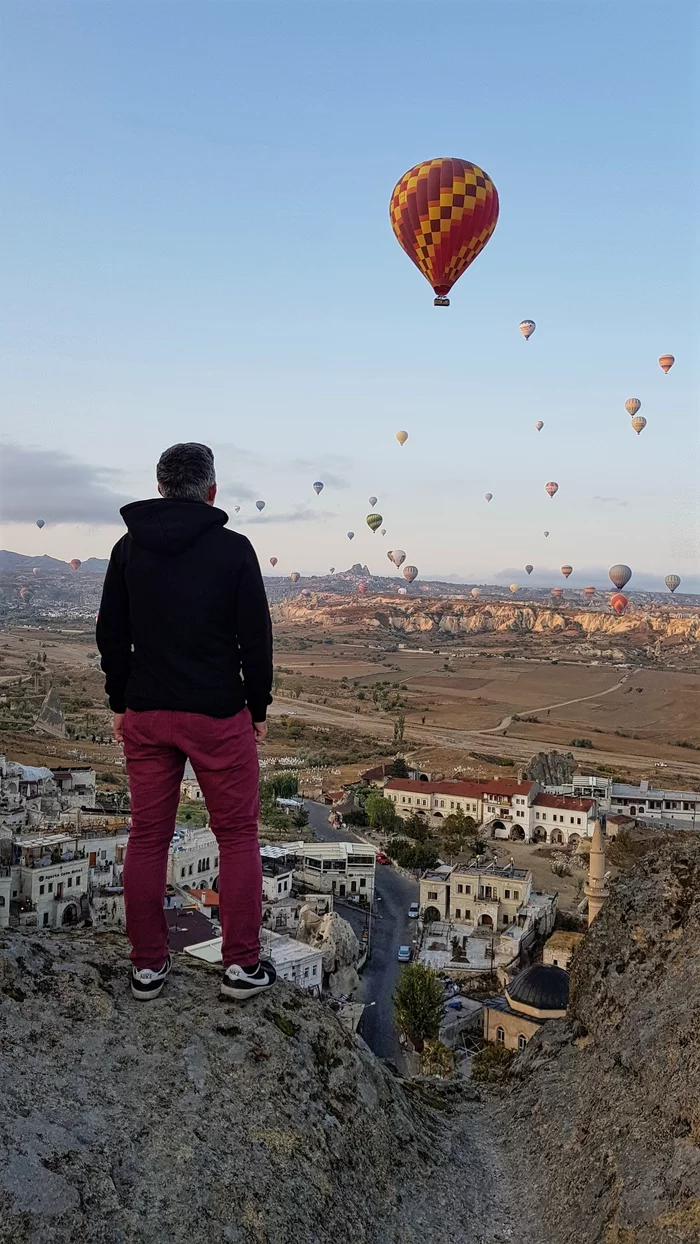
(185, 621)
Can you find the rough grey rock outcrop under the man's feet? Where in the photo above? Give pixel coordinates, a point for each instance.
(126, 1123)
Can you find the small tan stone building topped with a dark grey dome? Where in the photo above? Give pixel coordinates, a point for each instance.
(535, 996)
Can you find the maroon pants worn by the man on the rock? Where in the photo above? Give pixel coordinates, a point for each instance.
(224, 757)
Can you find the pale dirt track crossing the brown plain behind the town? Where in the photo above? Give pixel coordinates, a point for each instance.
(464, 741)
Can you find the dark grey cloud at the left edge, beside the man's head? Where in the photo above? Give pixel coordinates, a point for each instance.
(57, 487)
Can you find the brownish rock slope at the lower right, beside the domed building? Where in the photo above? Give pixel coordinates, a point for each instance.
(604, 1114)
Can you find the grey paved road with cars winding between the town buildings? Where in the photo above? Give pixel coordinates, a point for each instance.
(391, 929)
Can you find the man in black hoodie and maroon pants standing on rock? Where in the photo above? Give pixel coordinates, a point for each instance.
(187, 650)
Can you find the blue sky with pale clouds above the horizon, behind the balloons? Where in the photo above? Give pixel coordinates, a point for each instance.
(196, 247)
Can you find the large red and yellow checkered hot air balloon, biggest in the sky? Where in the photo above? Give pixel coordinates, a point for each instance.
(443, 213)
